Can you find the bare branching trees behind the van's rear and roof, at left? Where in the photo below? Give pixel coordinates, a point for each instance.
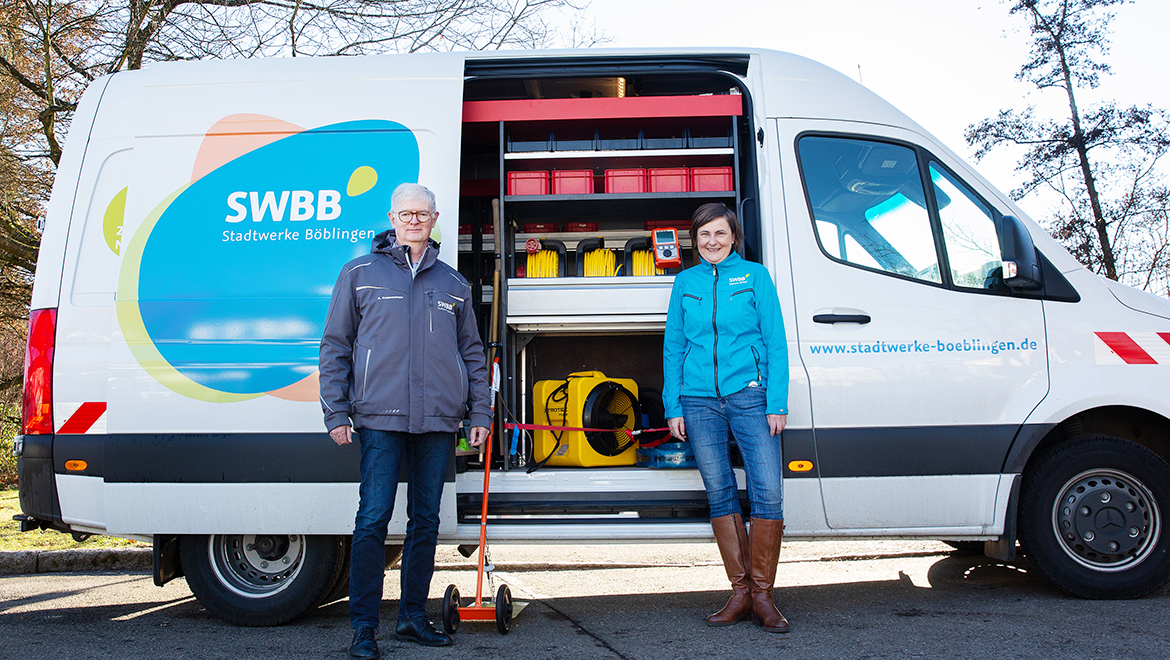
(52, 50)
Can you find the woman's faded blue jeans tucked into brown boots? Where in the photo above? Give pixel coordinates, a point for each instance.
(710, 421)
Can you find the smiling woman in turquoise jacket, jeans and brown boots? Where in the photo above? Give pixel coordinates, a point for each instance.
(726, 369)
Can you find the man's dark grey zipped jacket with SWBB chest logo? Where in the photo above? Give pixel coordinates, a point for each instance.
(402, 353)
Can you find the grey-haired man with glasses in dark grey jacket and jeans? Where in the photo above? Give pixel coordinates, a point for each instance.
(403, 362)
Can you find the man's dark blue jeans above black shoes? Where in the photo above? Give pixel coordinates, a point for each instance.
(383, 455)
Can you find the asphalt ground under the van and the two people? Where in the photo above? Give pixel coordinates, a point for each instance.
(845, 600)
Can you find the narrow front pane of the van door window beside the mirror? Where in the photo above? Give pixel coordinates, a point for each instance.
(969, 233)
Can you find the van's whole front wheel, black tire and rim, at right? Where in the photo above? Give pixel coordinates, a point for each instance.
(1093, 518)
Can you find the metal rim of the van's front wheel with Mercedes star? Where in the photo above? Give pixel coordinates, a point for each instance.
(1106, 520)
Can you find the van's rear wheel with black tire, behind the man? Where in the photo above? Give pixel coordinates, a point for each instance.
(261, 580)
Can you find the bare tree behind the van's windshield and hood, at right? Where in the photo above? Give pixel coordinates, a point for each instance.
(1102, 162)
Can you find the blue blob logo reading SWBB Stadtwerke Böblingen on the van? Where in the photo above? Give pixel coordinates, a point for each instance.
(225, 287)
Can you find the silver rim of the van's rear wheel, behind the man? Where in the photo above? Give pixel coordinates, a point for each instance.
(257, 566)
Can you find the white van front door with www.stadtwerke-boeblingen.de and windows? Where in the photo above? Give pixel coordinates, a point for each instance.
(923, 365)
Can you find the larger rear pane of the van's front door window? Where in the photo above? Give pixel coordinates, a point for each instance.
(871, 194)
